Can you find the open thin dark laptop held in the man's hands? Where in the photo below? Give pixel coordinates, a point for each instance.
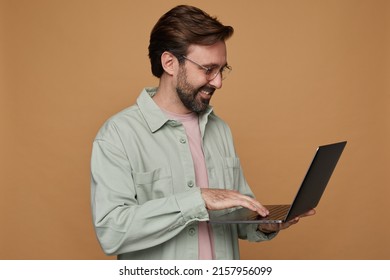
(307, 197)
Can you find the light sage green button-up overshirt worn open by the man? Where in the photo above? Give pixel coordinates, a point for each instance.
(145, 203)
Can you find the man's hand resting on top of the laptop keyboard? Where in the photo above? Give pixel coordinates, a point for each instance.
(217, 199)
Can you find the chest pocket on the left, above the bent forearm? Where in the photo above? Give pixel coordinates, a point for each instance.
(153, 184)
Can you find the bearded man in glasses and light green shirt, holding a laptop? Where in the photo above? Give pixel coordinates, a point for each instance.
(160, 165)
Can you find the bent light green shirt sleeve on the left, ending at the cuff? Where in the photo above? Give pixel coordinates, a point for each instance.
(121, 223)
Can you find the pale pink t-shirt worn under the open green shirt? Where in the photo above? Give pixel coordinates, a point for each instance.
(191, 125)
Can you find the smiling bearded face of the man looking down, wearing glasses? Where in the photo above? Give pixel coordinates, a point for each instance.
(193, 87)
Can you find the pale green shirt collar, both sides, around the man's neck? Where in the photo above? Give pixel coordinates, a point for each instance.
(153, 115)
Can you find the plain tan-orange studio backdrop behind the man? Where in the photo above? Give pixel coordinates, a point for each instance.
(305, 73)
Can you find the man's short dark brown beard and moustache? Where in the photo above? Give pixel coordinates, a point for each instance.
(190, 96)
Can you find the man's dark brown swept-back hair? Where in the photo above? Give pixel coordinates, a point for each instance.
(180, 27)
